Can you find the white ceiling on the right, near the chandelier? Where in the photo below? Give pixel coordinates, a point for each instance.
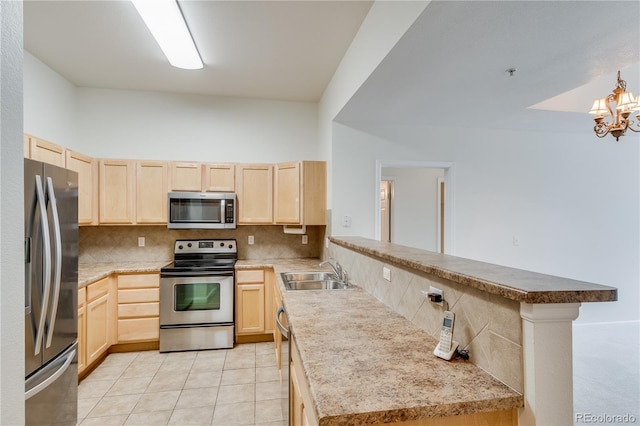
(449, 69)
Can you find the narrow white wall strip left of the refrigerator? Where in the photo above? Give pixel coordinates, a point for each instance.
(11, 217)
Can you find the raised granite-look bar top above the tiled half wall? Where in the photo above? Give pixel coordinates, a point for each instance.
(512, 283)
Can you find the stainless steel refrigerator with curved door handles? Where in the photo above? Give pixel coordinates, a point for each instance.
(51, 294)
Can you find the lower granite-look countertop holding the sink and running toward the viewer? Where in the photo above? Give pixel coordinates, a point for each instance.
(366, 364)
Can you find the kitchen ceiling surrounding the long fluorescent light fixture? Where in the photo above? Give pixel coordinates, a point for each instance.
(285, 50)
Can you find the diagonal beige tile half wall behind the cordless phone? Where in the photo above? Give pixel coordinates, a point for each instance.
(488, 326)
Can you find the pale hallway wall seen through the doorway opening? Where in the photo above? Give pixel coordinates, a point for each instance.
(414, 211)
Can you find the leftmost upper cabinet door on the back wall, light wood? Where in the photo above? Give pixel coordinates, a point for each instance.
(116, 191)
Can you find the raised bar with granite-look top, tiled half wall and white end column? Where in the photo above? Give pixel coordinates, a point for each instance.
(516, 324)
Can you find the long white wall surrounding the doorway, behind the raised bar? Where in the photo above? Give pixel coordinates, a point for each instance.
(572, 200)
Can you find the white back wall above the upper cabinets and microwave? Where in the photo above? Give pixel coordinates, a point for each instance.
(162, 126)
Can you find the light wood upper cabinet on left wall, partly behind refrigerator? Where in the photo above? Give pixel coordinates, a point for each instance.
(87, 169)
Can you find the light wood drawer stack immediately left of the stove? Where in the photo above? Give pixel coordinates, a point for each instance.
(138, 307)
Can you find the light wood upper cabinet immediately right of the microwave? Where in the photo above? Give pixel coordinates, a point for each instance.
(254, 187)
